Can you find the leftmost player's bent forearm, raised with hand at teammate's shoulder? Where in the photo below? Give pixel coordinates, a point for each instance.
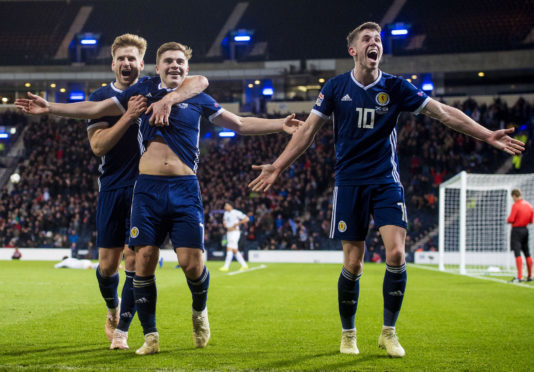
(103, 139)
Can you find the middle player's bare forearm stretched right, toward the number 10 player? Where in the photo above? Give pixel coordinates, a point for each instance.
(256, 126)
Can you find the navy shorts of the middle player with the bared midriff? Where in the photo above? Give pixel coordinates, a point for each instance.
(170, 205)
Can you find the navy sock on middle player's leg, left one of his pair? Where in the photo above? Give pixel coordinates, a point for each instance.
(145, 299)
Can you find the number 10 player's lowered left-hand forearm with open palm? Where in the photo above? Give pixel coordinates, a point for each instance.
(300, 141)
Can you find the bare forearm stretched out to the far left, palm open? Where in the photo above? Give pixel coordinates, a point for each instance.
(37, 105)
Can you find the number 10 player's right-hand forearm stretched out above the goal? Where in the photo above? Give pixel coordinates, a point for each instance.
(460, 122)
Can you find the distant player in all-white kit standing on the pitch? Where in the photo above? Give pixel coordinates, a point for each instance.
(232, 218)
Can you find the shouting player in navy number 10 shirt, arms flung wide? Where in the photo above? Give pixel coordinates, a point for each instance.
(365, 103)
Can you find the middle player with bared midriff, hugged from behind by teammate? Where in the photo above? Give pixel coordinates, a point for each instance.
(167, 195)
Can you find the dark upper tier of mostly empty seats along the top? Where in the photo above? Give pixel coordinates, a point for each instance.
(32, 32)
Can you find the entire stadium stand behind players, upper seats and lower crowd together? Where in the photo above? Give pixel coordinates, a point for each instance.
(59, 176)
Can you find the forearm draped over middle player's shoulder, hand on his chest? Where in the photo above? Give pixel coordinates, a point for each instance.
(161, 109)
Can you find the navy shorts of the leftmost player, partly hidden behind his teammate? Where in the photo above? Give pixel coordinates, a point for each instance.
(113, 217)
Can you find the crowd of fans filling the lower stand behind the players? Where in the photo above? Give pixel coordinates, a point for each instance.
(54, 203)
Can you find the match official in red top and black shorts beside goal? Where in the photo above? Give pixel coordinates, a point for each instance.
(520, 216)
